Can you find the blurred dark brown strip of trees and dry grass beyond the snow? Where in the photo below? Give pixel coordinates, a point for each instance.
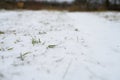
(71, 5)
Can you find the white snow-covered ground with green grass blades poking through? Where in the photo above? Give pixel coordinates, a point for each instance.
(54, 45)
